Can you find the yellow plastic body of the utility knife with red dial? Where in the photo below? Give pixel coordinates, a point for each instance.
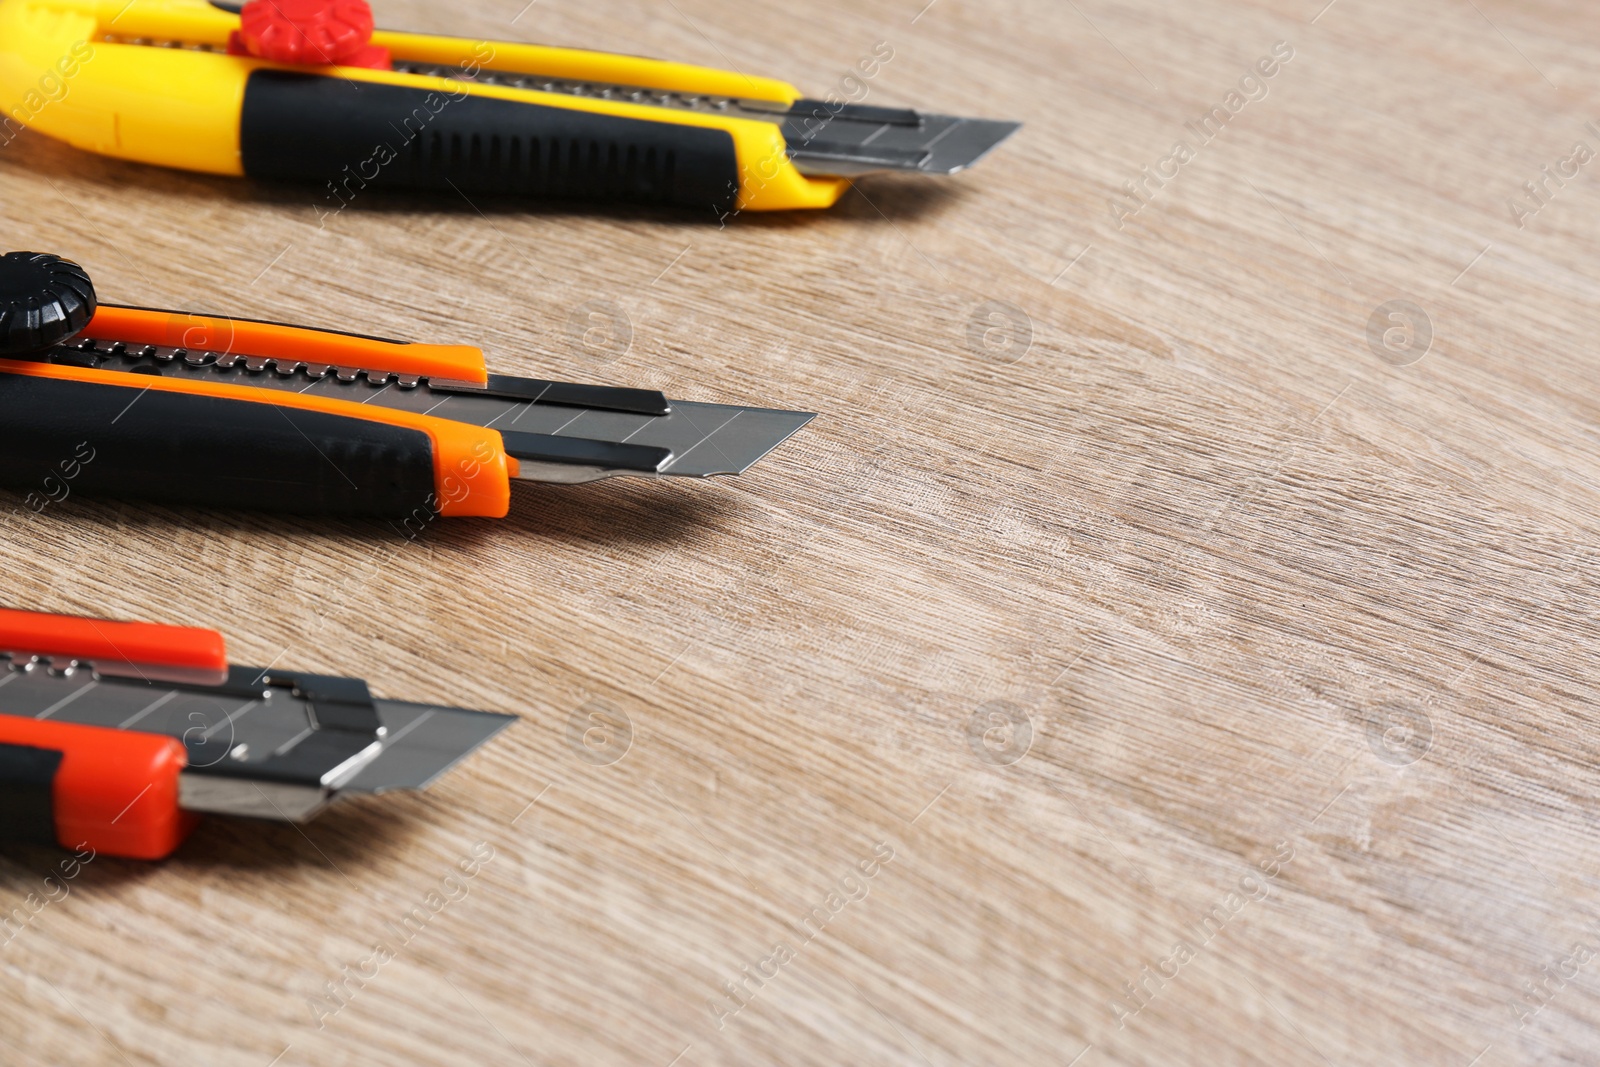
(68, 73)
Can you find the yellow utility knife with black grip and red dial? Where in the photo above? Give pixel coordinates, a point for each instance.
(308, 90)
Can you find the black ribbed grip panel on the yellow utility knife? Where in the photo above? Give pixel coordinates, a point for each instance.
(350, 135)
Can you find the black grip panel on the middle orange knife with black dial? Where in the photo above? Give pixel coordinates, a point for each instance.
(68, 438)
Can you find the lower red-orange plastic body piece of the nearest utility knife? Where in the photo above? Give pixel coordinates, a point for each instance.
(116, 791)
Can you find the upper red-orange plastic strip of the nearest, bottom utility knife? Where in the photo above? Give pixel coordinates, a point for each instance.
(138, 649)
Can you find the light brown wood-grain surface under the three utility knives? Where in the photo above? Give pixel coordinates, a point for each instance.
(1300, 641)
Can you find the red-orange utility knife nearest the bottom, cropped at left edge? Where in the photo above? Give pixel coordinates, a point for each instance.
(116, 737)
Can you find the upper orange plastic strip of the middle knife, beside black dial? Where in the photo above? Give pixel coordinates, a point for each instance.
(215, 334)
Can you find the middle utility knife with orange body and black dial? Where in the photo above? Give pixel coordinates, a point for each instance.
(234, 414)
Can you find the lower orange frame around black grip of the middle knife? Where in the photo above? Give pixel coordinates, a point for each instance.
(471, 470)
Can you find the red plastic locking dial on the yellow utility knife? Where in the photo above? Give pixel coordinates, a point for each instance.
(310, 33)
